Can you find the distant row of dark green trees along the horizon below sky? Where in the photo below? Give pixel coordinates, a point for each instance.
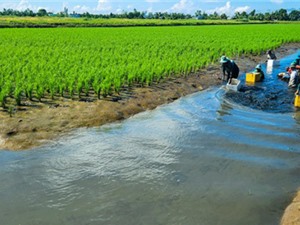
(280, 15)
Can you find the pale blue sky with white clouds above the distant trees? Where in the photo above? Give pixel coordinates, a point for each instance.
(229, 7)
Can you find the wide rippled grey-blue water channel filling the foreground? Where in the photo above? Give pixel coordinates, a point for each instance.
(207, 159)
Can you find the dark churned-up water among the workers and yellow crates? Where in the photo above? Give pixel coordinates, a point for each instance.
(271, 95)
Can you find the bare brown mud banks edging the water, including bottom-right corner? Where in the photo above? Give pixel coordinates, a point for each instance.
(35, 123)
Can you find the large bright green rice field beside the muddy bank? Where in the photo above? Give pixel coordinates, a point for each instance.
(72, 62)
